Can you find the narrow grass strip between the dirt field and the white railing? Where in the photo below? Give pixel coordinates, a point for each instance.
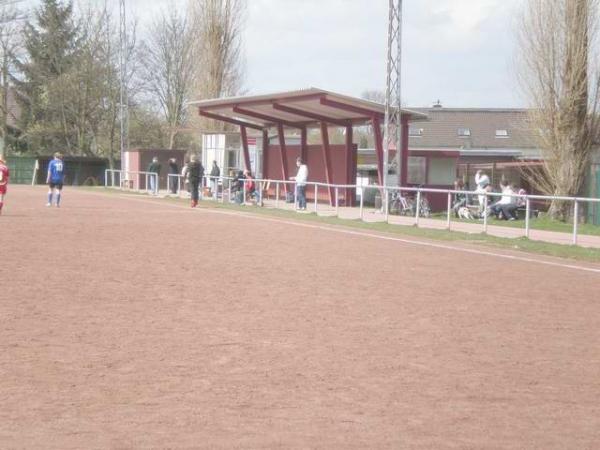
(483, 240)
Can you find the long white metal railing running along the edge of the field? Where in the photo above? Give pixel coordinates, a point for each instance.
(225, 185)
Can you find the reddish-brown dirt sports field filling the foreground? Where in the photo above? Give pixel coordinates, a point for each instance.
(129, 322)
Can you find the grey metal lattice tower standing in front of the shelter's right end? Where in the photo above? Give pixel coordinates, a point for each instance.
(393, 120)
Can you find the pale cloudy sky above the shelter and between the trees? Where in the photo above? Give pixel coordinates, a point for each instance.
(460, 52)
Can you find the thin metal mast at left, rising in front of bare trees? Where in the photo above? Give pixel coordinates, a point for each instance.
(123, 100)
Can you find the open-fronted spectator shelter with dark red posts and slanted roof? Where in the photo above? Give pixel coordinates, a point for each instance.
(301, 110)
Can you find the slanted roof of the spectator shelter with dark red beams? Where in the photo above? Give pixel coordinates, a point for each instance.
(296, 109)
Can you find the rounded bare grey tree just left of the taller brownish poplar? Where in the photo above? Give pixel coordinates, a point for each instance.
(170, 54)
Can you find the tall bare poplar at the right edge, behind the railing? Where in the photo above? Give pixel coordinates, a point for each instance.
(561, 82)
